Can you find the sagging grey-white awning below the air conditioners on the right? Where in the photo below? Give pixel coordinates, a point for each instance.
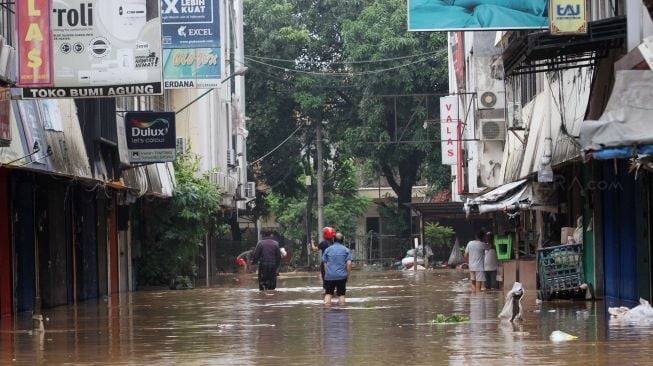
(522, 194)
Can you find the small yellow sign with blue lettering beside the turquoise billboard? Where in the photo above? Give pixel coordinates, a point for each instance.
(568, 16)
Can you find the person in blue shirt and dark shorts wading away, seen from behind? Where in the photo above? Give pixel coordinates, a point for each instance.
(337, 261)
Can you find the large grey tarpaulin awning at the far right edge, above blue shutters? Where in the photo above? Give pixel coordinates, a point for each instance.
(627, 117)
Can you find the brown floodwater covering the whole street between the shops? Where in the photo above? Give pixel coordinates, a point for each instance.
(386, 321)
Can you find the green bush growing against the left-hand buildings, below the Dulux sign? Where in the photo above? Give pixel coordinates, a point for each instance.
(175, 228)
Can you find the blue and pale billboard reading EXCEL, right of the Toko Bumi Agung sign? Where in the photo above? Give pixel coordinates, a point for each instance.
(191, 43)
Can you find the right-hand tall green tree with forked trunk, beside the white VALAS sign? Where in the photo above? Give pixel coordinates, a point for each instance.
(379, 34)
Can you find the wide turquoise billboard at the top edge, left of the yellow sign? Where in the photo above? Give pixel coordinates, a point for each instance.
(463, 15)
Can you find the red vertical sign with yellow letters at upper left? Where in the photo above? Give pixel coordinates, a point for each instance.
(35, 66)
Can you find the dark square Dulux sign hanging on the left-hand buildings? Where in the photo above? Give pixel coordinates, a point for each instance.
(151, 137)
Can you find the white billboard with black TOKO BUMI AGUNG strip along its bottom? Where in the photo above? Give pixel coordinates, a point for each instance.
(104, 49)
